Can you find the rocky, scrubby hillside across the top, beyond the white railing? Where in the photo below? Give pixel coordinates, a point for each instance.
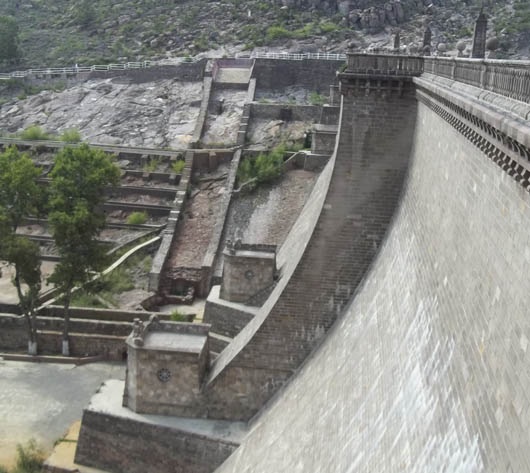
(65, 32)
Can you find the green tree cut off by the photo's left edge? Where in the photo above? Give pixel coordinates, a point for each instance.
(20, 197)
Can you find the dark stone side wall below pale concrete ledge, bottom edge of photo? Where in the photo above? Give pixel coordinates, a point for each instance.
(129, 443)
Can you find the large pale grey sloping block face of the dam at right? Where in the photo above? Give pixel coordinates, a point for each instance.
(427, 370)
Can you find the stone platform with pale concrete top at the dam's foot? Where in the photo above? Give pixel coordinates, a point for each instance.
(114, 437)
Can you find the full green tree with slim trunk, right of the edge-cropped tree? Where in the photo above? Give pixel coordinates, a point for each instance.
(79, 178)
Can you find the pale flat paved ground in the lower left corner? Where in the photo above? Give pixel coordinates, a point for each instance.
(41, 400)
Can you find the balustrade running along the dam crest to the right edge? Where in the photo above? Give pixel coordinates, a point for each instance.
(507, 78)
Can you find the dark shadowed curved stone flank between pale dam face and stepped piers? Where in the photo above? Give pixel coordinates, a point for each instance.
(329, 251)
